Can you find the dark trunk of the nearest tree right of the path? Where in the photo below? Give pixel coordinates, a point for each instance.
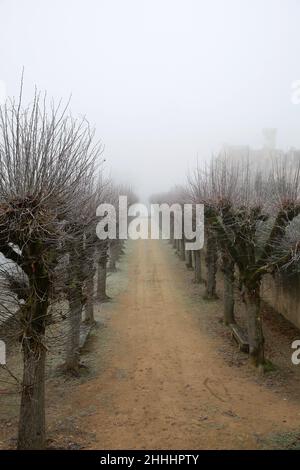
(254, 320)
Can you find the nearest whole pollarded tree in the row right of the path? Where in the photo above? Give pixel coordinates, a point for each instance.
(250, 210)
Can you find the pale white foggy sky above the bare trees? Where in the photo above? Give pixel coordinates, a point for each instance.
(163, 81)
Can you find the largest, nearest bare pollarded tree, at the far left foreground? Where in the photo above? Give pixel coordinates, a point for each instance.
(44, 155)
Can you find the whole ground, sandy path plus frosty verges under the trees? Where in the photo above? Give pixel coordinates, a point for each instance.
(163, 373)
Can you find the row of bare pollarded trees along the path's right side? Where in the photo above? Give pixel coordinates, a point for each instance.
(252, 227)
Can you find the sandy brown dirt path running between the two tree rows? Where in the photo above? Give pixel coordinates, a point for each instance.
(164, 383)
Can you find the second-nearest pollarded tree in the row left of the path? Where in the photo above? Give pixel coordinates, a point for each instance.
(80, 268)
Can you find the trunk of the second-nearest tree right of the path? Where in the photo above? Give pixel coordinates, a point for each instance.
(228, 299)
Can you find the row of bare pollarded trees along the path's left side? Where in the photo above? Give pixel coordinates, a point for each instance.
(51, 182)
